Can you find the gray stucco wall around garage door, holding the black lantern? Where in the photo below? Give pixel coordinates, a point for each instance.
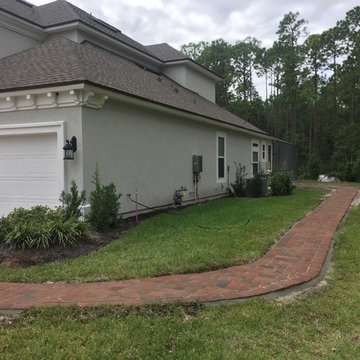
(72, 126)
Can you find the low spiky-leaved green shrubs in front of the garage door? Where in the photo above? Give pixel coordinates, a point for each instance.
(40, 227)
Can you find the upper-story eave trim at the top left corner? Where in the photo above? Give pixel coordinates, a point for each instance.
(21, 26)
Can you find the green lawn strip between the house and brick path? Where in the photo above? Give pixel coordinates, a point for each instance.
(208, 236)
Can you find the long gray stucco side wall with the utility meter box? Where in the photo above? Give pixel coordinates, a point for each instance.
(151, 152)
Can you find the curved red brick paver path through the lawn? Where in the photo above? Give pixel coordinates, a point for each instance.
(296, 258)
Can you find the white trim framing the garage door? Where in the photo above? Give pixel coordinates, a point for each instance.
(56, 127)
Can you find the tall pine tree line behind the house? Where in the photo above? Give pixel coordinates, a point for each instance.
(312, 87)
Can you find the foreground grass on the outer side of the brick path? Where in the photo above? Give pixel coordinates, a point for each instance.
(321, 325)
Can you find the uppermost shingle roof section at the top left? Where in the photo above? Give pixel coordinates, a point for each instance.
(61, 12)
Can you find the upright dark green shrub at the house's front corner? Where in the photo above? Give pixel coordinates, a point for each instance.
(105, 204)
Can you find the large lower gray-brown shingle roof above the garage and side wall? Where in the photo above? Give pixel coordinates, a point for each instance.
(63, 61)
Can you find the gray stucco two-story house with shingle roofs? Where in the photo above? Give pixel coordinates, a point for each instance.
(145, 114)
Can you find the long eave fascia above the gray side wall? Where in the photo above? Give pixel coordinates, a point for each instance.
(173, 111)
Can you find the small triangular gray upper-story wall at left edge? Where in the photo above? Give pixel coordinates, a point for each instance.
(13, 42)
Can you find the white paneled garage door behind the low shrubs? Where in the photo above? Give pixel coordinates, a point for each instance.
(29, 171)
